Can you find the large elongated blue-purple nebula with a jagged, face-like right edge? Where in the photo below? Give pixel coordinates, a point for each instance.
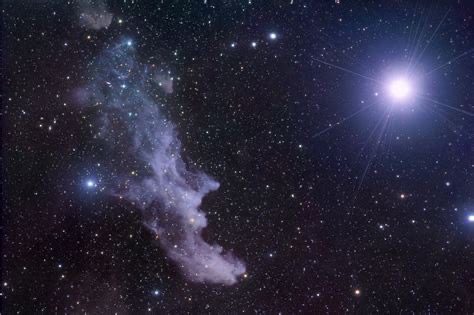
(148, 168)
